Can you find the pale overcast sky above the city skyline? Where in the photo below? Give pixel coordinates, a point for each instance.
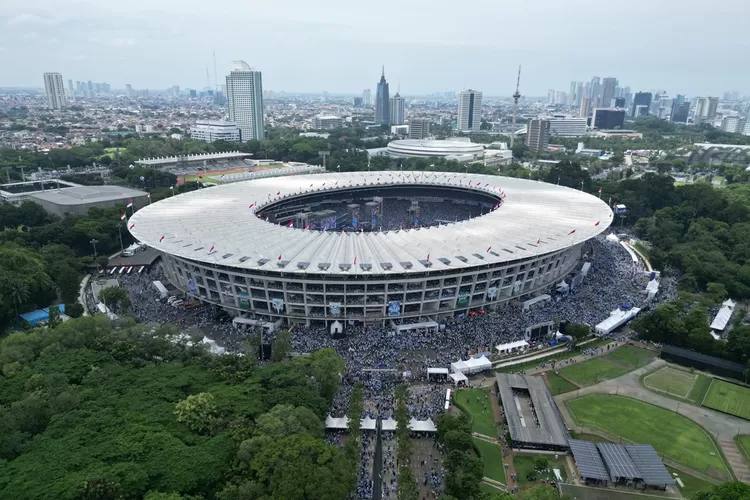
(683, 46)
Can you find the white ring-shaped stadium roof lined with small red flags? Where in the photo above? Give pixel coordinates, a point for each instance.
(190, 224)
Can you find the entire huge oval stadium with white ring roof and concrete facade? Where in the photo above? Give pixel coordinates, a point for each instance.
(331, 249)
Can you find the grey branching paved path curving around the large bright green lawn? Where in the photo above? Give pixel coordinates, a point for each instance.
(723, 427)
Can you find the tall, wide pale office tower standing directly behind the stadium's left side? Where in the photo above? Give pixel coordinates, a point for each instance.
(245, 100)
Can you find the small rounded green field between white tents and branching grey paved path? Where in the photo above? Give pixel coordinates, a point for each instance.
(618, 362)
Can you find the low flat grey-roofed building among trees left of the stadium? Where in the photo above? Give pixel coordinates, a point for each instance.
(78, 200)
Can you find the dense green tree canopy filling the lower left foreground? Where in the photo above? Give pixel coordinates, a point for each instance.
(100, 410)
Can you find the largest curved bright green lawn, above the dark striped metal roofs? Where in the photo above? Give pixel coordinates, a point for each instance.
(673, 435)
